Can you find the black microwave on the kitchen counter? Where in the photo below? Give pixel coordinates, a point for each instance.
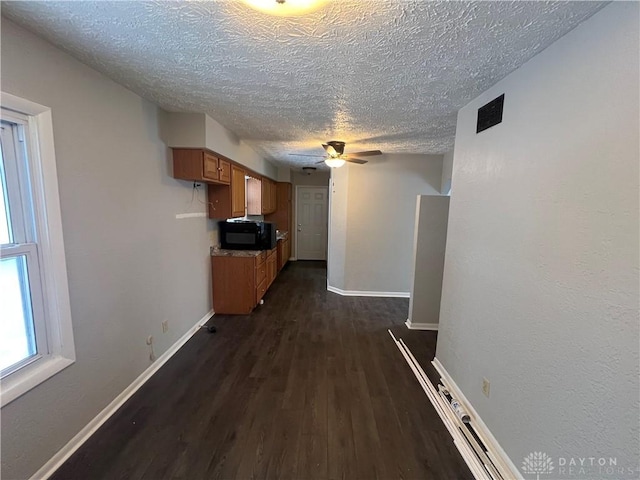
(244, 235)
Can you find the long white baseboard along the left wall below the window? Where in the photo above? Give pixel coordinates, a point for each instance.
(83, 435)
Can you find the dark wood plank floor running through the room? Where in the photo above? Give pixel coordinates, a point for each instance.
(308, 386)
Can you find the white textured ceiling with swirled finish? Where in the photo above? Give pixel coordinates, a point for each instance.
(378, 74)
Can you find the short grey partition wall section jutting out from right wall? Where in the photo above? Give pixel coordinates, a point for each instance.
(430, 238)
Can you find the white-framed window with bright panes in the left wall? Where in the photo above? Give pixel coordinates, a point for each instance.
(36, 339)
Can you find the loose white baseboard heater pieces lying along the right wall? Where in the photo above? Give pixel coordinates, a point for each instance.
(484, 465)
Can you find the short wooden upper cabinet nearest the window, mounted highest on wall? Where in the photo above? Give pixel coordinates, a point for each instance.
(200, 165)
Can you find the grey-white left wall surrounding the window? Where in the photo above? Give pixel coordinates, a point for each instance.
(130, 263)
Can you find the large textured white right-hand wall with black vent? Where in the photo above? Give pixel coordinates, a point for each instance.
(540, 290)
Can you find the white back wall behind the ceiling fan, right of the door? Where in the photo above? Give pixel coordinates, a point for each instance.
(380, 218)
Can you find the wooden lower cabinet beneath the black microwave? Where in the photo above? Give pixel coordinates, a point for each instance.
(239, 283)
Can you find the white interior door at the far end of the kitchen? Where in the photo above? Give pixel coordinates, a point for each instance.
(311, 223)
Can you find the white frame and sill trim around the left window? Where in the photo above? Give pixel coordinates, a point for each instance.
(60, 349)
